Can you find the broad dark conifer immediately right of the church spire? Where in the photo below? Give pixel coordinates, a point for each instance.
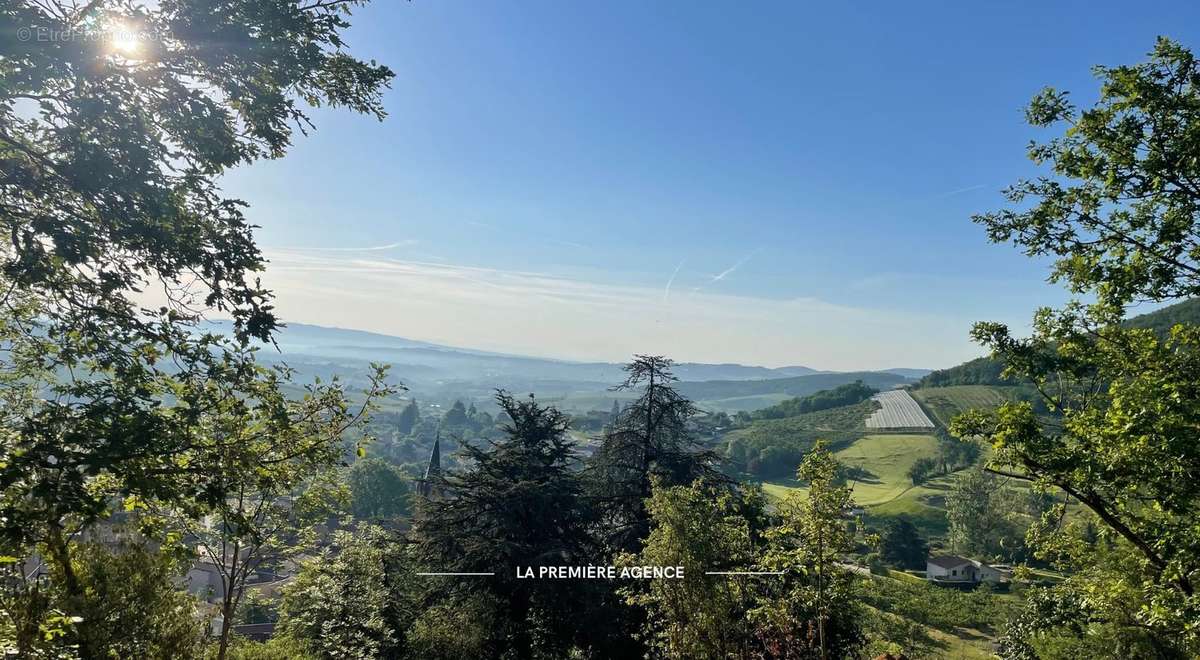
(518, 505)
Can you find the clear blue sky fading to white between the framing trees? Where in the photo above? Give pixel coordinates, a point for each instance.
(802, 176)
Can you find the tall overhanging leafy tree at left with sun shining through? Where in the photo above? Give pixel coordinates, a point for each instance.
(110, 161)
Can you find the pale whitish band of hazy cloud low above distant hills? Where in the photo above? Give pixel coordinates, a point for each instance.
(542, 314)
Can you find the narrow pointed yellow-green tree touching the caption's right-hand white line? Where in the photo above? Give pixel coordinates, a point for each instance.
(812, 610)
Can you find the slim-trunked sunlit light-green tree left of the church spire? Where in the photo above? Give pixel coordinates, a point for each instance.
(278, 484)
